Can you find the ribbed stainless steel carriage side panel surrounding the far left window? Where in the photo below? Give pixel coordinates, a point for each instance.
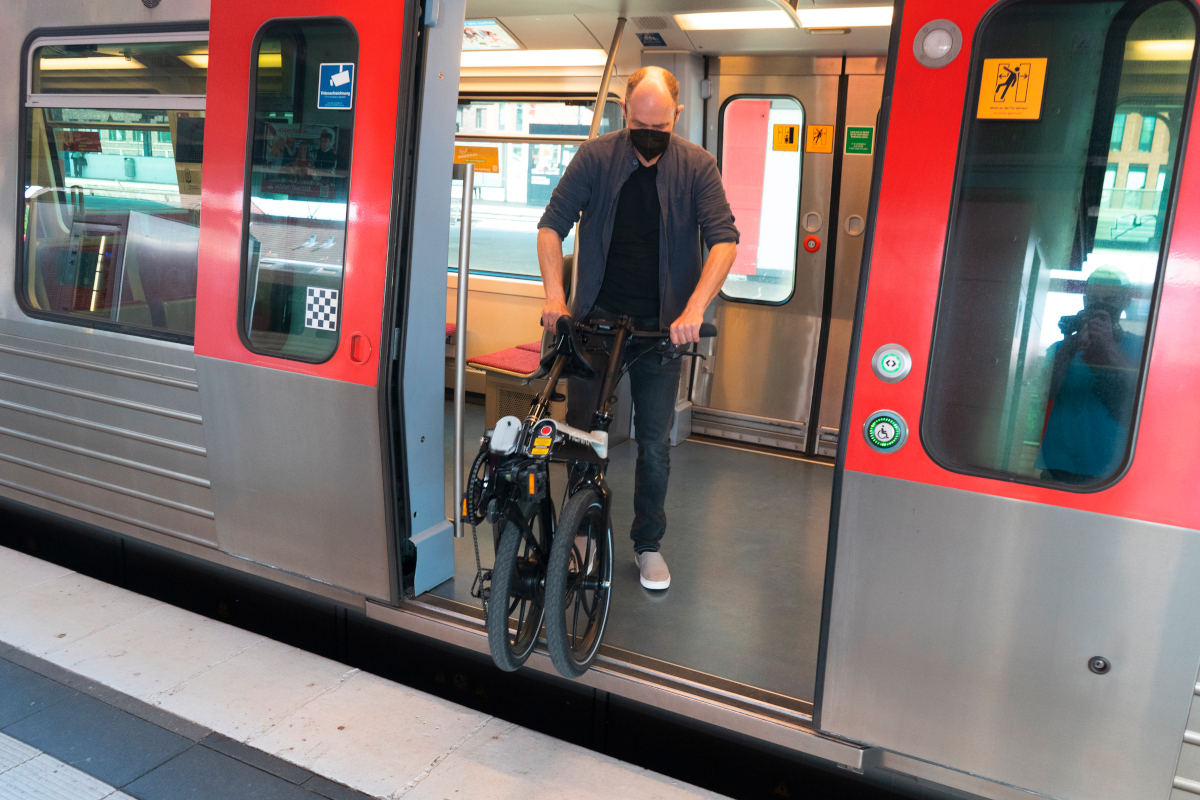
(98, 426)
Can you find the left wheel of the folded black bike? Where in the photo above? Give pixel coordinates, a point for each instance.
(517, 604)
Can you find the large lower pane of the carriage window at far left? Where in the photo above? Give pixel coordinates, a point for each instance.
(112, 232)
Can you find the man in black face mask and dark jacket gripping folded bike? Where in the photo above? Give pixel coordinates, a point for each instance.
(647, 199)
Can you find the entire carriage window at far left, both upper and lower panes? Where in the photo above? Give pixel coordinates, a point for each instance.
(112, 214)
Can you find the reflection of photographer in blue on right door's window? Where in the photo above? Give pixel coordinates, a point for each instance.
(1094, 378)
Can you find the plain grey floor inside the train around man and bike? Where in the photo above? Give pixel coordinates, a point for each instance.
(747, 536)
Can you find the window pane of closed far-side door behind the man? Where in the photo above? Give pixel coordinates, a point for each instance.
(761, 159)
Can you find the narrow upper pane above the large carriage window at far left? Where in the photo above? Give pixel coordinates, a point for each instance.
(151, 68)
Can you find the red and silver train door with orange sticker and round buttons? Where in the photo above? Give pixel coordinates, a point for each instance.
(1011, 585)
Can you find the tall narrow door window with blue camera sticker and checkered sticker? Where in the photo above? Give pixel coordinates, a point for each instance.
(301, 167)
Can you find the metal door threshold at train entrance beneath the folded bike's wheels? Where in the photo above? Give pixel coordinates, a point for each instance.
(727, 705)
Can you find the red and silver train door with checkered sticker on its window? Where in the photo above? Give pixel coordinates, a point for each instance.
(301, 149)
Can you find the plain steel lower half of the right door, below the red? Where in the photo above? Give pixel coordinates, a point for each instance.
(963, 624)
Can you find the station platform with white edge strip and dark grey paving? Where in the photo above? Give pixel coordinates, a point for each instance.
(106, 694)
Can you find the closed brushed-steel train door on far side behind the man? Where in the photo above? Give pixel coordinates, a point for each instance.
(799, 188)
